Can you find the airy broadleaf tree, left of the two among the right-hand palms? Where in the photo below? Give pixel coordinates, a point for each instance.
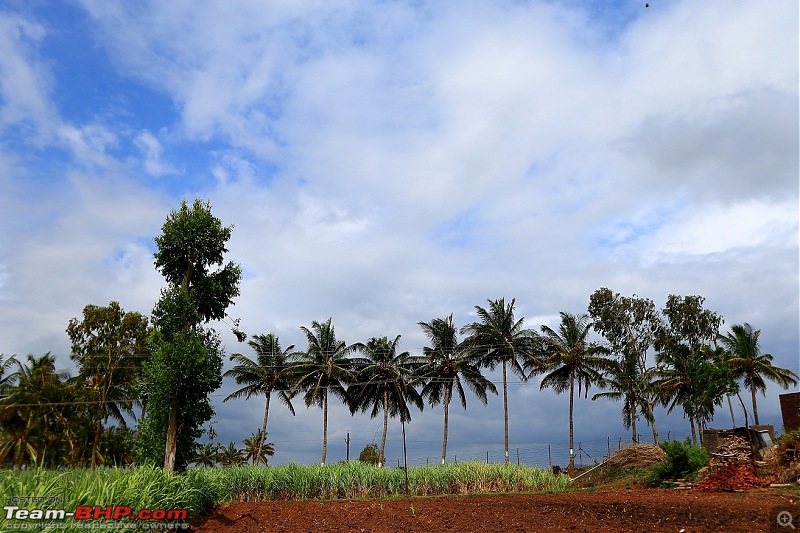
(630, 327)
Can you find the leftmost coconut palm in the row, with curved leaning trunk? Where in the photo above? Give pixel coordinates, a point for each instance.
(267, 374)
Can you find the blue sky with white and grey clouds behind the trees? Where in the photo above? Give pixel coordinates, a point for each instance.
(389, 162)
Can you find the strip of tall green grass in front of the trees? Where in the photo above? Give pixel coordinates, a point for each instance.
(200, 490)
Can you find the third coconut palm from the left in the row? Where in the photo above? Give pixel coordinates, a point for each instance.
(383, 383)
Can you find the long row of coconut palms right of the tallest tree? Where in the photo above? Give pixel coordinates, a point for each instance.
(374, 377)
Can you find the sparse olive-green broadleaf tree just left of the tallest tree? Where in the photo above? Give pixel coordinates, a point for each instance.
(109, 346)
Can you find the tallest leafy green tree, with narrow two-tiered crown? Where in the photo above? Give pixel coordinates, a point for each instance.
(186, 359)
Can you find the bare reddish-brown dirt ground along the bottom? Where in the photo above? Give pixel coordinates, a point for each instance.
(639, 508)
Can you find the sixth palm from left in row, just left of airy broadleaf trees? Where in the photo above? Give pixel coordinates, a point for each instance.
(570, 358)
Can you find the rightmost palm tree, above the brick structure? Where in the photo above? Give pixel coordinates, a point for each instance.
(748, 363)
